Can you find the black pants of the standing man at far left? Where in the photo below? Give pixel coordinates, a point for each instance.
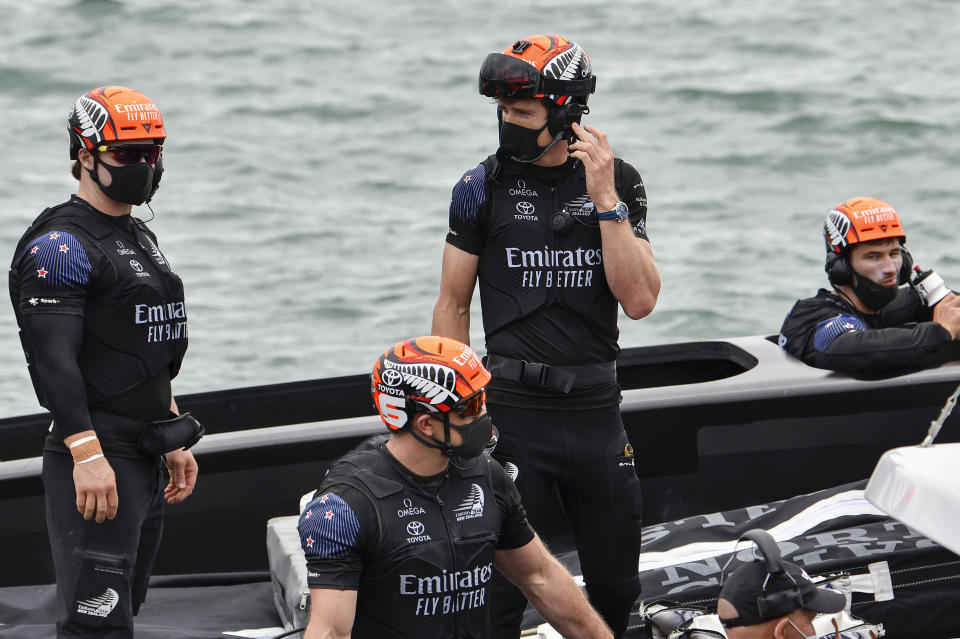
(103, 569)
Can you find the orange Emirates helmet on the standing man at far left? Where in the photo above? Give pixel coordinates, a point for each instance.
(112, 114)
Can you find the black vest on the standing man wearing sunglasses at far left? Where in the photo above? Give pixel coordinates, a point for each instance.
(133, 329)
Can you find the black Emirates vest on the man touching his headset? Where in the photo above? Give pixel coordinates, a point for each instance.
(526, 265)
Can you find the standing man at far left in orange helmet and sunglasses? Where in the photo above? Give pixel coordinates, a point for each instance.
(103, 325)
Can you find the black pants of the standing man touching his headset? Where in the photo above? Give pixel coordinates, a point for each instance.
(583, 456)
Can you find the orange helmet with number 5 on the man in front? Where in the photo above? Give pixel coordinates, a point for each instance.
(427, 375)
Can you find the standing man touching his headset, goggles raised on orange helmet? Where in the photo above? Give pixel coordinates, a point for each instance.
(553, 227)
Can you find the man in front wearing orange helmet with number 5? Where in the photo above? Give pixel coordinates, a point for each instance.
(402, 536)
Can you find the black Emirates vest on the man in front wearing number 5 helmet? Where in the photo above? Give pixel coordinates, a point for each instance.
(428, 575)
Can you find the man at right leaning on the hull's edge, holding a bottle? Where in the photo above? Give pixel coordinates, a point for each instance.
(872, 322)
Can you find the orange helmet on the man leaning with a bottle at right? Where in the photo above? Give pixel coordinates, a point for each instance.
(861, 219)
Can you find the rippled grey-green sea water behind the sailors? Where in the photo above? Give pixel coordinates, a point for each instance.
(312, 147)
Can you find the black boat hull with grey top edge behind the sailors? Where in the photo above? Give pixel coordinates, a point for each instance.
(714, 425)
